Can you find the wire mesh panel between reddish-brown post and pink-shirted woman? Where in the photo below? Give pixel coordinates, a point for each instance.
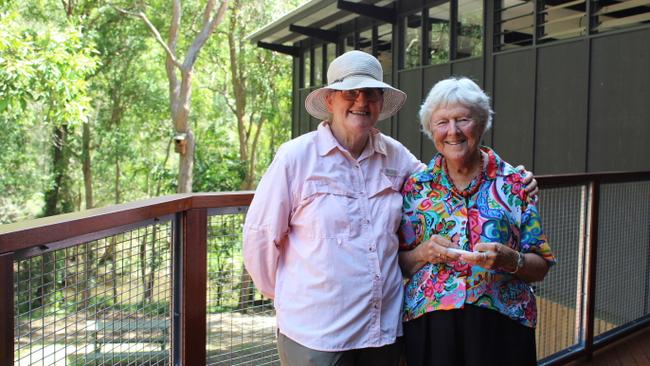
(240, 323)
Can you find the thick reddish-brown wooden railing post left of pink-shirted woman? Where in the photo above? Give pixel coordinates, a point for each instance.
(193, 287)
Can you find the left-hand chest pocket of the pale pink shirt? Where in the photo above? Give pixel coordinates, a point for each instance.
(323, 210)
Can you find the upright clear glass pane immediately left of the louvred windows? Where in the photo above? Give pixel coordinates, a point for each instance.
(470, 28)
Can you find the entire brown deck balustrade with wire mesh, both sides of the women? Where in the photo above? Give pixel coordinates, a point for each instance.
(161, 281)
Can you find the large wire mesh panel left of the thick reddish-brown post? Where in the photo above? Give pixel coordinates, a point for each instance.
(104, 302)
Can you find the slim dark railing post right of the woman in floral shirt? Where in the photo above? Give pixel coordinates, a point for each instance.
(592, 243)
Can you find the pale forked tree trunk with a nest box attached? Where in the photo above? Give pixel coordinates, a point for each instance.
(180, 91)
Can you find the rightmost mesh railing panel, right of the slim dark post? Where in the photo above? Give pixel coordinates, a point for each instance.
(623, 256)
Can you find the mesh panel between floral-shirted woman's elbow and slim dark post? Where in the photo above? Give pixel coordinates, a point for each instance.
(560, 306)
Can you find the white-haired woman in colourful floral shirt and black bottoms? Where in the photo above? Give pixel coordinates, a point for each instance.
(471, 242)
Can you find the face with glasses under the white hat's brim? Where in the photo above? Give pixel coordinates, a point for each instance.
(353, 117)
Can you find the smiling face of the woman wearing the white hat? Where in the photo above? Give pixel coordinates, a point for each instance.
(355, 110)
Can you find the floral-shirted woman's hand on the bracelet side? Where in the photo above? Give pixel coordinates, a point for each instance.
(493, 256)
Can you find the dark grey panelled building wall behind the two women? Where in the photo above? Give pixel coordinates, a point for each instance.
(576, 105)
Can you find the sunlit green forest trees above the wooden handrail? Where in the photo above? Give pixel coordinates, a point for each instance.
(93, 96)
